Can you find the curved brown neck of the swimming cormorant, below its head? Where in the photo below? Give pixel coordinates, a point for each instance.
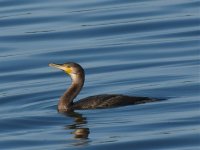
(66, 101)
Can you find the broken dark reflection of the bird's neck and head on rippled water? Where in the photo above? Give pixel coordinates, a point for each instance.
(80, 132)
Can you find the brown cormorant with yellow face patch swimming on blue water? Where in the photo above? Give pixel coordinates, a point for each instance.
(77, 74)
